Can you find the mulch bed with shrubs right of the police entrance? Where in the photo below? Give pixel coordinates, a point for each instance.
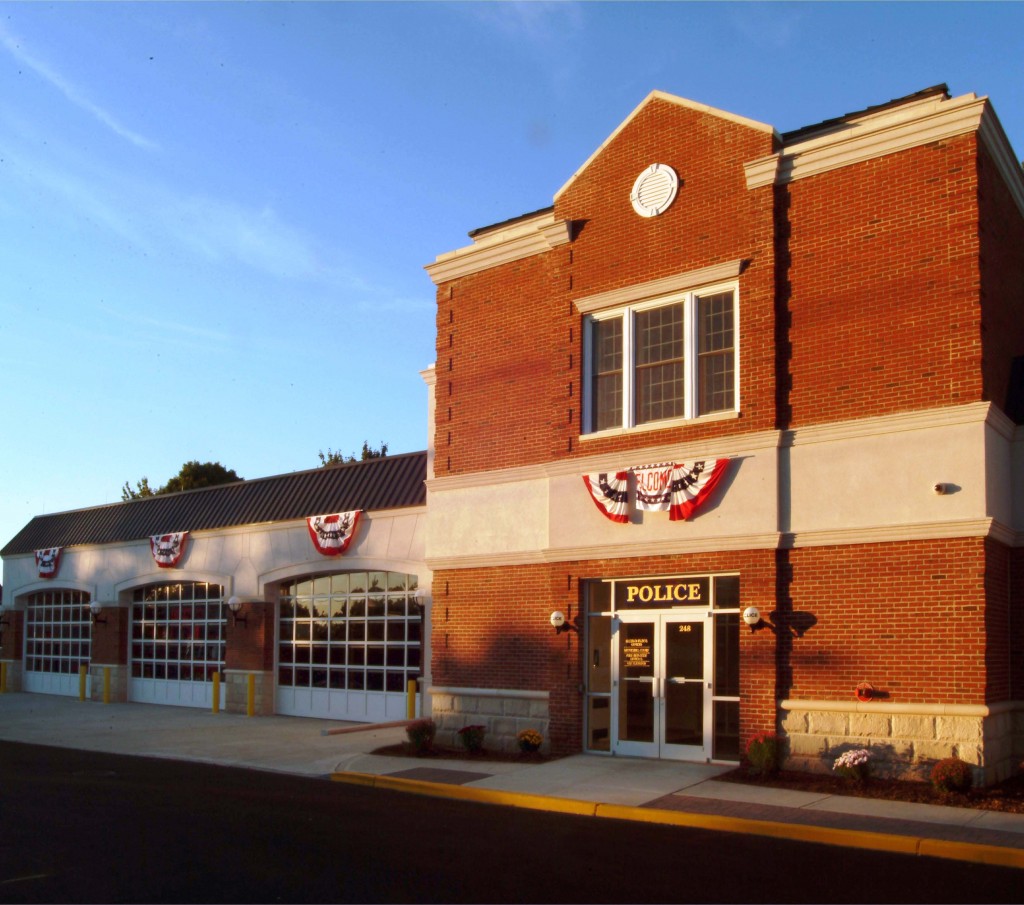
(1007, 797)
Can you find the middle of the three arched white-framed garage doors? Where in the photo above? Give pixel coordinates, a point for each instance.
(178, 643)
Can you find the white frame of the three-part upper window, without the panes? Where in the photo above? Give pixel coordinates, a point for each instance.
(627, 315)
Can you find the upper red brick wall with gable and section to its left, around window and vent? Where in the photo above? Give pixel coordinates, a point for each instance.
(509, 343)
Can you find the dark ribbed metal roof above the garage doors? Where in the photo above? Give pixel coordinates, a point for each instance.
(390, 483)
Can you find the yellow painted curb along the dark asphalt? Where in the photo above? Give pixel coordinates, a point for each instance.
(828, 836)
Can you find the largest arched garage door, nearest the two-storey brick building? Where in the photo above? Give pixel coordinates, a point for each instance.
(349, 643)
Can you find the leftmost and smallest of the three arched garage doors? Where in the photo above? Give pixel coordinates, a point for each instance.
(58, 641)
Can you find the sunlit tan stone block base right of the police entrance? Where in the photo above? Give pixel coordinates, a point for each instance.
(906, 741)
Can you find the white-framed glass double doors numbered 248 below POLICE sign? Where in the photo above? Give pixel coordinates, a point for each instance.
(663, 695)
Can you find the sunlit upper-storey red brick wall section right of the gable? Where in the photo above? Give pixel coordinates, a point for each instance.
(884, 285)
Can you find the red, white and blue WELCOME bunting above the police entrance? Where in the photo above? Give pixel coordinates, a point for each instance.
(674, 488)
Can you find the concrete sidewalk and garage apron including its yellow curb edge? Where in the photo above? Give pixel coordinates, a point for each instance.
(661, 792)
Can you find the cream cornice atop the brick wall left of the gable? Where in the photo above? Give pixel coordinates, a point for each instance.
(522, 240)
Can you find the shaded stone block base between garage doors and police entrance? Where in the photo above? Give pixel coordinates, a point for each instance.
(504, 713)
